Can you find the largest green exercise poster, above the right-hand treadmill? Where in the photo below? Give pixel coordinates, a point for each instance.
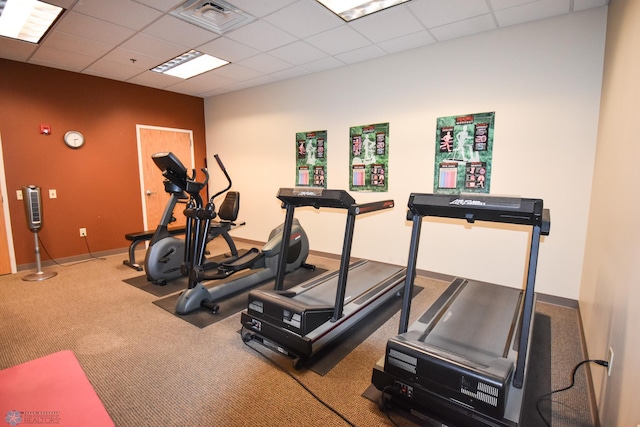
(464, 149)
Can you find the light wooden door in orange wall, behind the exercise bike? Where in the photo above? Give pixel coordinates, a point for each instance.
(153, 140)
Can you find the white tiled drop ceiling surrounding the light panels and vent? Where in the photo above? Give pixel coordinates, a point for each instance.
(123, 39)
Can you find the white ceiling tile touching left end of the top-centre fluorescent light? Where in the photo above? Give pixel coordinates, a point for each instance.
(295, 19)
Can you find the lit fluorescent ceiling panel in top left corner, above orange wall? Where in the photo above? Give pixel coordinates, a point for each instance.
(27, 20)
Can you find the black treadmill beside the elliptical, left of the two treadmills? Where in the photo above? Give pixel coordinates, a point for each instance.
(300, 321)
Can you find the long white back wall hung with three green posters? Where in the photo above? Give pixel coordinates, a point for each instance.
(542, 79)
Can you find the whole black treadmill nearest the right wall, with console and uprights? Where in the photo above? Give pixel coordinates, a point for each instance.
(464, 361)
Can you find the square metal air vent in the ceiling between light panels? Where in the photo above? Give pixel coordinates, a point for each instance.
(214, 15)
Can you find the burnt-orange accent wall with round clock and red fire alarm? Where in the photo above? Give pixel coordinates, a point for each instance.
(98, 185)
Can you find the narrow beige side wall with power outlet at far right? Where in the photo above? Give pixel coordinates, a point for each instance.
(610, 293)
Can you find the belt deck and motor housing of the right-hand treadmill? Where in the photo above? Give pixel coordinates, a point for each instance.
(463, 350)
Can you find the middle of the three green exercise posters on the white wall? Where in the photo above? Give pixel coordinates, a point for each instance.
(369, 157)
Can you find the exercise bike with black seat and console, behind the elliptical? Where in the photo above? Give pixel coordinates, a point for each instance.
(165, 256)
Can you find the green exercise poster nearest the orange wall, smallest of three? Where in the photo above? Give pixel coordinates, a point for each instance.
(311, 159)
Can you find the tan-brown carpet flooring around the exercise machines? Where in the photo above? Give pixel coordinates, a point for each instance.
(149, 368)
